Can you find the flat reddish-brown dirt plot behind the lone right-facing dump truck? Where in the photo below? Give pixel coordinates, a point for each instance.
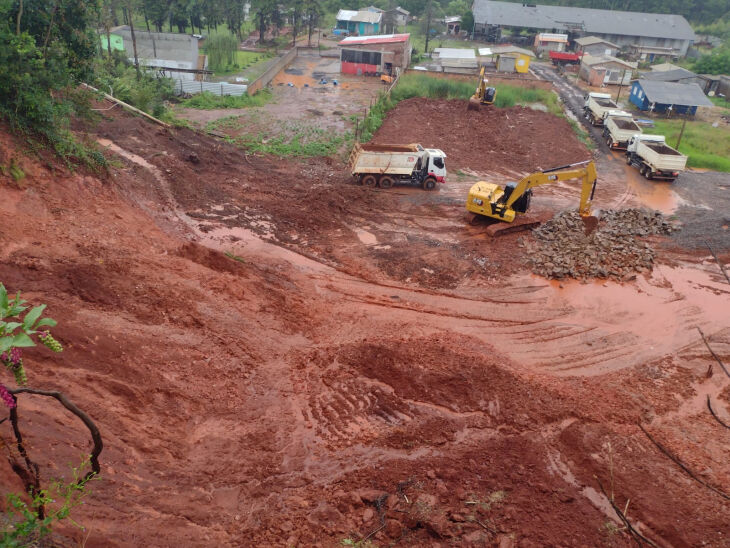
(518, 139)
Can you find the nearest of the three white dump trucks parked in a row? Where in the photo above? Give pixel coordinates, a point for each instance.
(654, 159)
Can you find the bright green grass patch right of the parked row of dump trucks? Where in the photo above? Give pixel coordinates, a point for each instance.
(707, 147)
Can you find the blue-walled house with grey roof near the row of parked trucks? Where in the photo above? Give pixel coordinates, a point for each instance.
(671, 97)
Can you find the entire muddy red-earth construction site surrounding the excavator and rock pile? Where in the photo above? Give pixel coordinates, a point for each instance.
(277, 355)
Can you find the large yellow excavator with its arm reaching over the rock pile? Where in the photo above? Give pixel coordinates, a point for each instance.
(505, 204)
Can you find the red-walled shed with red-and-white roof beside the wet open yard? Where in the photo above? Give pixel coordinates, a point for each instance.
(375, 54)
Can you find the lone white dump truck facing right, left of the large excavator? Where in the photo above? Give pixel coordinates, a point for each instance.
(385, 165)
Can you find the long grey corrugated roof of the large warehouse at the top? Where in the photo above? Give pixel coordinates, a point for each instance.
(627, 23)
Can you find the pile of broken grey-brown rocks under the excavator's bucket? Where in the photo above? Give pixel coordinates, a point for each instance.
(563, 250)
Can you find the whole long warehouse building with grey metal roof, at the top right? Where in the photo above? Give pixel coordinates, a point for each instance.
(624, 28)
